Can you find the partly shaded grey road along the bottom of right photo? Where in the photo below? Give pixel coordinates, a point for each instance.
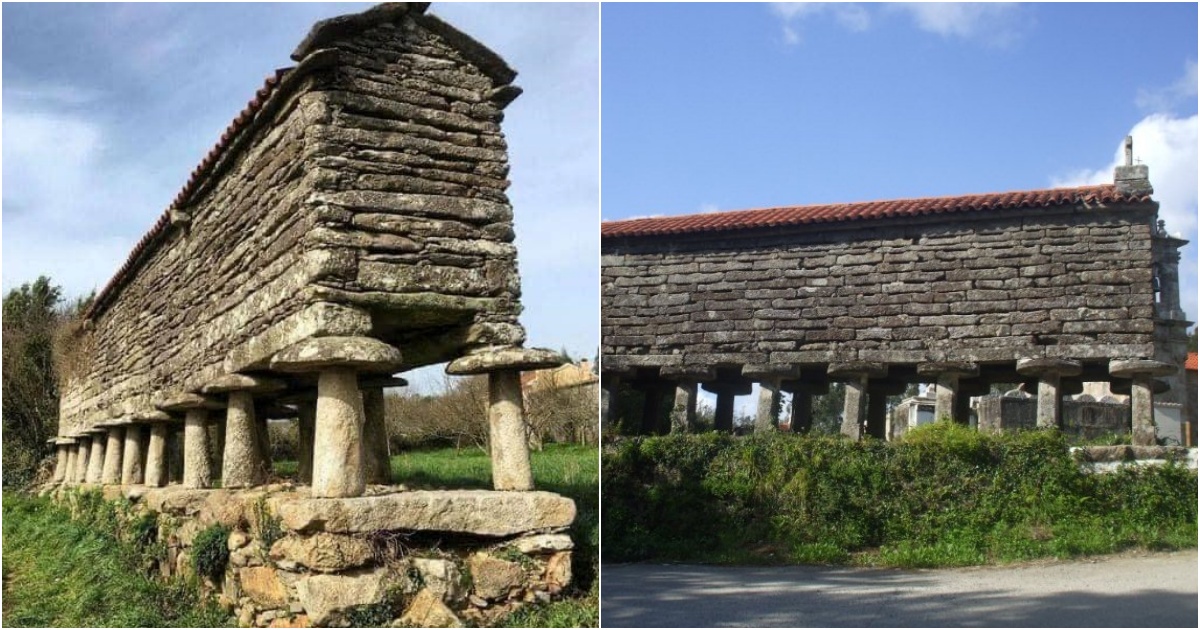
(1141, 590)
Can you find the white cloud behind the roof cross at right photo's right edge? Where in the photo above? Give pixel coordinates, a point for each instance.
(1168, 146)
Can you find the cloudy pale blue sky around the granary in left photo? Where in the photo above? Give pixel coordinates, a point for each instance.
(107, 109)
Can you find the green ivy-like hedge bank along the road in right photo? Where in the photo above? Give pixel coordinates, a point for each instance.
(945, 496)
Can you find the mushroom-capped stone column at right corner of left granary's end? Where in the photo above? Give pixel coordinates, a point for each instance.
(506, 416)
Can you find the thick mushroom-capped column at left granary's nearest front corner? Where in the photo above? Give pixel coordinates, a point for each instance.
(338, 454)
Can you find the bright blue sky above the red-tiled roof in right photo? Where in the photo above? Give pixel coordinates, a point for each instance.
(725, 107)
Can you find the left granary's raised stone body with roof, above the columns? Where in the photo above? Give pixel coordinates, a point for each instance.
(362, 194)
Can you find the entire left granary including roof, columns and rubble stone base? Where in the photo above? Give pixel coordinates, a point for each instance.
(350, 225)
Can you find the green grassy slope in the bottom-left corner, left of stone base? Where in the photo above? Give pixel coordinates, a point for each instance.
(63, 572)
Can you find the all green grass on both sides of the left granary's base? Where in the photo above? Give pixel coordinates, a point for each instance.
(63, 573)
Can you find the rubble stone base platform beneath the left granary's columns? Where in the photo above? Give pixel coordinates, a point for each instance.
(419, 559)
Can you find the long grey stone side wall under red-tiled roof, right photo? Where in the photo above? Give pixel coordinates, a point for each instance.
(1072, 284)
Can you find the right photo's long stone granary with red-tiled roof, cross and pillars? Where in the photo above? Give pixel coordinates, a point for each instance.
(1048, 287)
